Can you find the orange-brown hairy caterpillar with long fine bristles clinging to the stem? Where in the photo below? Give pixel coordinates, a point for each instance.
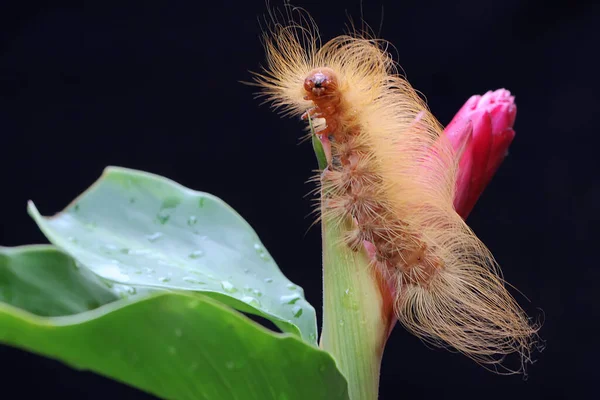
(393, 176)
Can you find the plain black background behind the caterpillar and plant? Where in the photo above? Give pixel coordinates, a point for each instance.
(155, 87)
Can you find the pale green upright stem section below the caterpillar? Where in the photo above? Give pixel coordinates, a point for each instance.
(354, 330)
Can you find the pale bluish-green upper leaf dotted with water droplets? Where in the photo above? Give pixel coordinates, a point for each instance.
(141, 229)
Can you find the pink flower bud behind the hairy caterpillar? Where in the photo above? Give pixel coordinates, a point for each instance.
(480, 133)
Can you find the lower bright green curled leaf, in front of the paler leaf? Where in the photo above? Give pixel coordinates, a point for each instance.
(173, 345)
